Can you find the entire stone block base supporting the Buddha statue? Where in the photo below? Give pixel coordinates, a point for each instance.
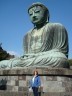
(54, 81)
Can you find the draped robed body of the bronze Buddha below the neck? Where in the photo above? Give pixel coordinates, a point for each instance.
(49, 47)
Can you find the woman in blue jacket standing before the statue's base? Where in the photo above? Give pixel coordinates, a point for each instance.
(35, 83)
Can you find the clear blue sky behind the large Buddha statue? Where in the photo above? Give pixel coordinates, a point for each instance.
(15, 21)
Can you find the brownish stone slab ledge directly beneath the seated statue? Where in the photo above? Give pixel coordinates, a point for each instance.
(41, 70)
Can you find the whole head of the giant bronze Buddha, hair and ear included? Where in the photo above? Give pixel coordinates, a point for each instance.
(38, 13)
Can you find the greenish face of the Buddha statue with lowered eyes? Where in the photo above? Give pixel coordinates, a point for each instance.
(36, 14)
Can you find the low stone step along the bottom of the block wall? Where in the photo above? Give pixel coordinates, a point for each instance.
(7, 93)
